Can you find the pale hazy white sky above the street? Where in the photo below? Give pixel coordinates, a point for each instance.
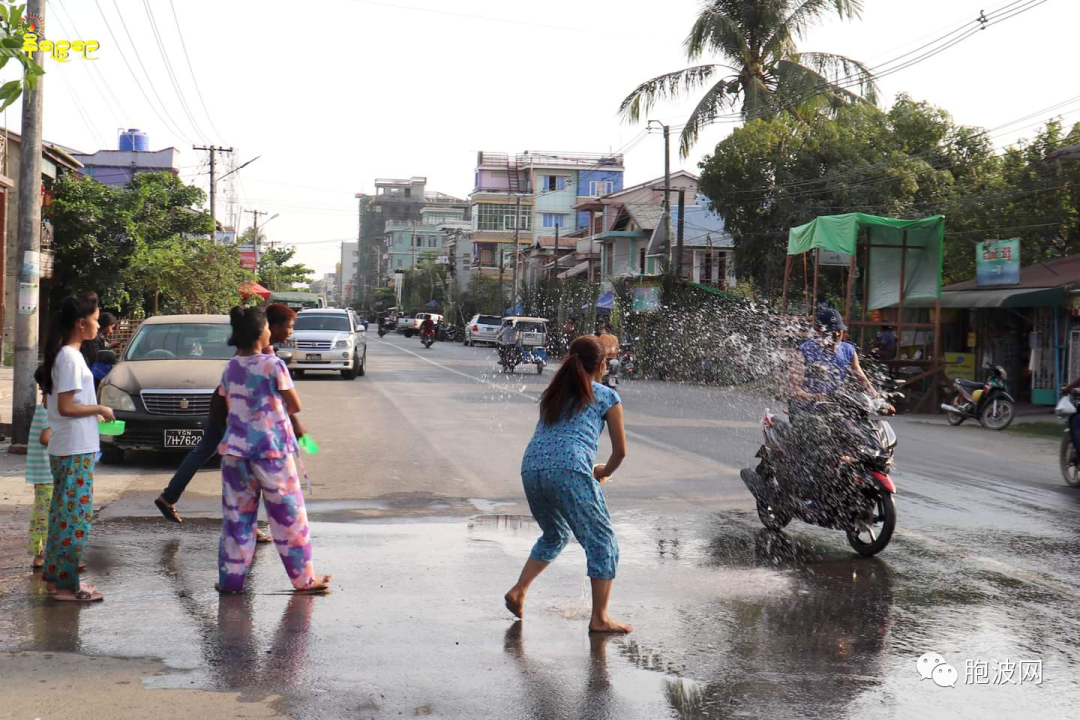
(371, 89)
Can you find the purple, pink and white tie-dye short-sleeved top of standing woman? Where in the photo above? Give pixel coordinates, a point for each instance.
(259, 425)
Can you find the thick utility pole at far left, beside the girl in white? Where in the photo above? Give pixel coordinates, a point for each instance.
(24, 391)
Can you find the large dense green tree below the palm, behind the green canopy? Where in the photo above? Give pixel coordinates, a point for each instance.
(912, 161)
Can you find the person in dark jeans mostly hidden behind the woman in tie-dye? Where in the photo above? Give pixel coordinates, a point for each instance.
(281, 320)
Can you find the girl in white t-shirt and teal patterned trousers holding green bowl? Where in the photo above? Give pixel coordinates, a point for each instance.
(73, 417)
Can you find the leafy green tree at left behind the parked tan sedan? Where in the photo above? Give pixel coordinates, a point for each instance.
(106, 237)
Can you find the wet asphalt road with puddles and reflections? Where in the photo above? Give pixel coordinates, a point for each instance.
(731, 621)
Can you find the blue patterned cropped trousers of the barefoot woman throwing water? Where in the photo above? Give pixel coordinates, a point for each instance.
(564, 502)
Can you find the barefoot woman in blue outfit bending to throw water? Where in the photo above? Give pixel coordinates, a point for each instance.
(562, 484)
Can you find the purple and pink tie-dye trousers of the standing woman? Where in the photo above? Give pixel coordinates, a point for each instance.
(277, 480)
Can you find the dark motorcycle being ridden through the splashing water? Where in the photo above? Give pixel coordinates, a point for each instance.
(855, 496)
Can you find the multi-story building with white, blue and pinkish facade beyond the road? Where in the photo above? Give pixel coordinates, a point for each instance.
(526, 197)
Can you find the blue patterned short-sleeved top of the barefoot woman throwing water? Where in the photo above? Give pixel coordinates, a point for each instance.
(571, 444)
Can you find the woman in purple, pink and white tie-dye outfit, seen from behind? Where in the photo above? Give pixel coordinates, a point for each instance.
(258, 458)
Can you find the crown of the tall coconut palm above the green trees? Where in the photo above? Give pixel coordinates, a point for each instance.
(763, 67)
